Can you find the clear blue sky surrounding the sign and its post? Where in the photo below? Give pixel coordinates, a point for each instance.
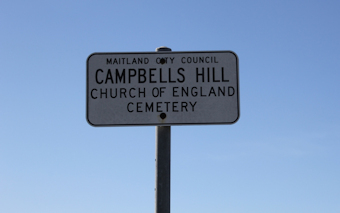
(281, 156)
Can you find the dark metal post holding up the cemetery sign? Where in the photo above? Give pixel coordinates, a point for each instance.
(163, 147)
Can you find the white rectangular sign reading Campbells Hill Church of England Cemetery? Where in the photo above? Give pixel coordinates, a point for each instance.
(162, 88)
